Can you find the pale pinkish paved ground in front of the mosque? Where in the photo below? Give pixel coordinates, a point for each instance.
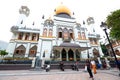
(57, 75)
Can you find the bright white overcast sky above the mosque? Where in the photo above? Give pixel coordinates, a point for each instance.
(98, 9)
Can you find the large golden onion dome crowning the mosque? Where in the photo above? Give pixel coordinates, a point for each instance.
(62, 9)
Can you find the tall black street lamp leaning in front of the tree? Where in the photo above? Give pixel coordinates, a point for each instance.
(104, 27)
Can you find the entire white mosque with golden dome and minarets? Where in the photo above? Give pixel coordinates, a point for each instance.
(61, 37)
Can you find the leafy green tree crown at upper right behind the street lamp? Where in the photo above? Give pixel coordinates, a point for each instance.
(113, 23)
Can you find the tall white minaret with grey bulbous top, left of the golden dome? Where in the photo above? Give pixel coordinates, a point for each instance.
(24, 13)
